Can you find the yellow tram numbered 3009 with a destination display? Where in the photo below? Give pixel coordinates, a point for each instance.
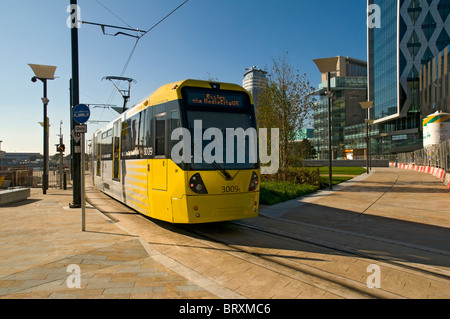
(185, 154)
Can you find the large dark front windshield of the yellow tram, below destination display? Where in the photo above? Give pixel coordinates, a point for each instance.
(222, 140)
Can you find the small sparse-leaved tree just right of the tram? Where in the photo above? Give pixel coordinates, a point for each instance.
(286, 104)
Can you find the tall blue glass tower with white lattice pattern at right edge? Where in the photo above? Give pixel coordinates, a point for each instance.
(411, 33)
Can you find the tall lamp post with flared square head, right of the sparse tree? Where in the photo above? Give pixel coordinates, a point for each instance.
(327, 66)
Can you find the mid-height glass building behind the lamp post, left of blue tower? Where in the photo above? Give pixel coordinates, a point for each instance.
(349, 87)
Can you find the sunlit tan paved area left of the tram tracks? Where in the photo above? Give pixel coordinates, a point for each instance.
(41, 238)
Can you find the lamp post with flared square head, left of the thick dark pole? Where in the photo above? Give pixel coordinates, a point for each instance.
(44, 73)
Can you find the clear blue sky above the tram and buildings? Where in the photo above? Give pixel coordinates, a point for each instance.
(205, 38)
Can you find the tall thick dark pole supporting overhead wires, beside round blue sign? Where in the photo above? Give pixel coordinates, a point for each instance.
(76, 157)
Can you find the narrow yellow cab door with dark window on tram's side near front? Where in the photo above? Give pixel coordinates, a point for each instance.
(159, 173)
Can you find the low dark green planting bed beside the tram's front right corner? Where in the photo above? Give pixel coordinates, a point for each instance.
(276, 192)
